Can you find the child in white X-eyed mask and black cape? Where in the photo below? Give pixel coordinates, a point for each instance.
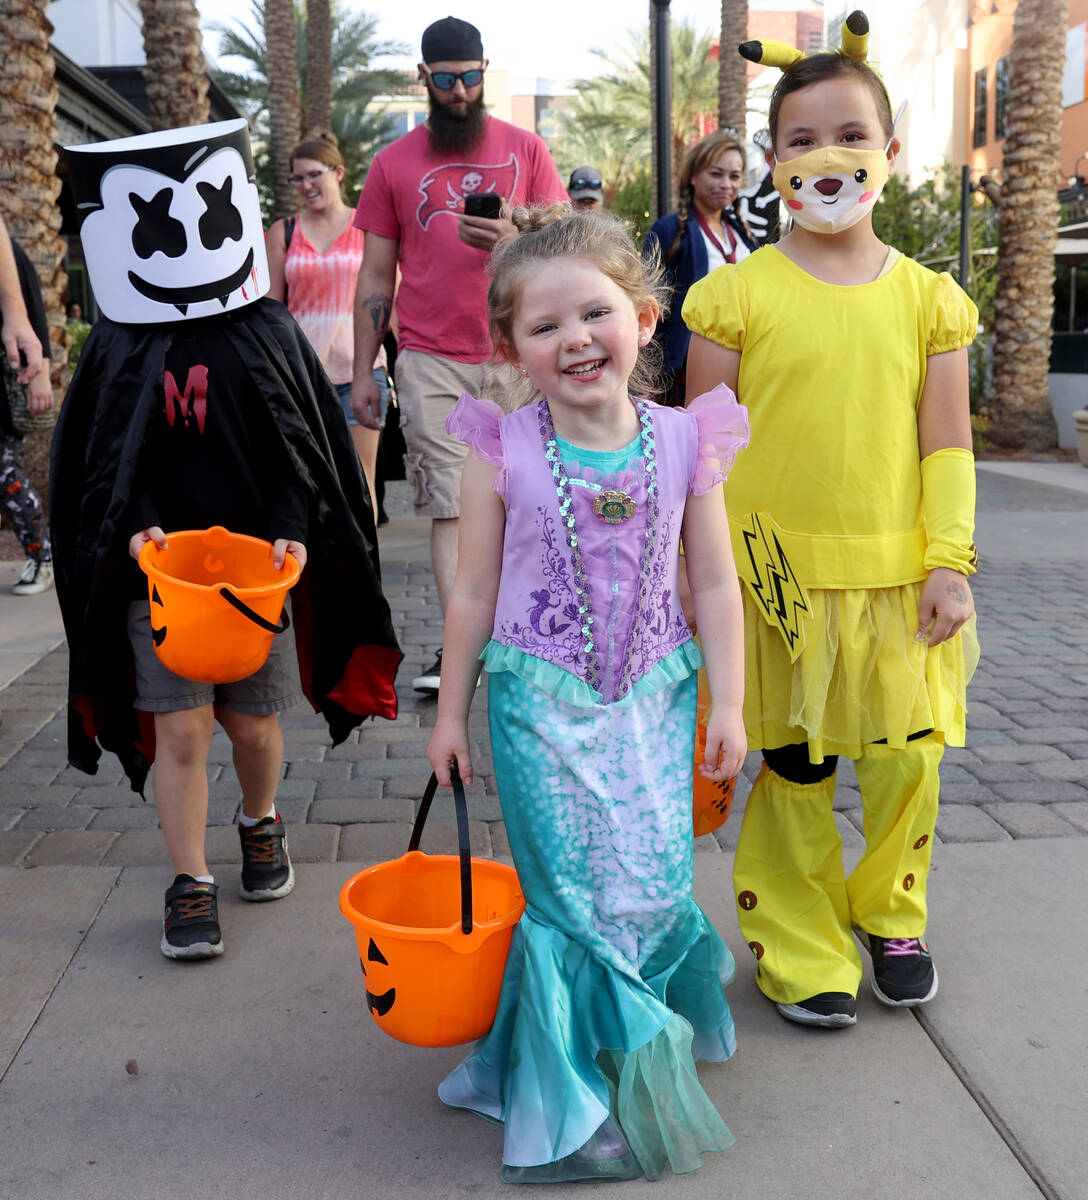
(197, 403)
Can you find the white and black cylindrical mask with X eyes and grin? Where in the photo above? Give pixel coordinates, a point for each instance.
(171, 223)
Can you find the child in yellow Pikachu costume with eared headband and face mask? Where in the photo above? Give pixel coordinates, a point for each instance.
(852, 518)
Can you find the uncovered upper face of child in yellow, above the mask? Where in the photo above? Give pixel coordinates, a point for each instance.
(839, 112)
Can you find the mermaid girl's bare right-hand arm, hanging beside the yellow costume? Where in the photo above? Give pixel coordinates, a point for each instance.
(717, 597)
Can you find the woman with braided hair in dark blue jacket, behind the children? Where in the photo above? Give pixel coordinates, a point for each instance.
(706, 232)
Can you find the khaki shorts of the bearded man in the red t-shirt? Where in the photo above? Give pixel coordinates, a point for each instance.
(428, 391)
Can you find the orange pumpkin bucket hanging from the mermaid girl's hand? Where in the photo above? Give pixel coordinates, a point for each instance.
(434, 933)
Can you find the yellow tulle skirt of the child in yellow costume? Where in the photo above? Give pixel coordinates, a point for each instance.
(861, 679)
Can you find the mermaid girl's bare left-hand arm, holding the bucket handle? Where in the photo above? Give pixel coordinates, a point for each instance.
(470, 617)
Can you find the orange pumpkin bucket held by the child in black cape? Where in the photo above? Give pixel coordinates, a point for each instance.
(217, 602)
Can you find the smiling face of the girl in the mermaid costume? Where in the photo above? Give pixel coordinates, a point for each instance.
(576, 334)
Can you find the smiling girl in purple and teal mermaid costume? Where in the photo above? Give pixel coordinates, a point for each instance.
(567, 589)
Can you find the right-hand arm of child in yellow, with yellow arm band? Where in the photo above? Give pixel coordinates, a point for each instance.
(948, 493)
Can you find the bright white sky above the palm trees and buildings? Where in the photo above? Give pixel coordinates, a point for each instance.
(550, 41)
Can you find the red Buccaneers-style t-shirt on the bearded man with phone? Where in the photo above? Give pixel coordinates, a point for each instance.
(414, 196)
